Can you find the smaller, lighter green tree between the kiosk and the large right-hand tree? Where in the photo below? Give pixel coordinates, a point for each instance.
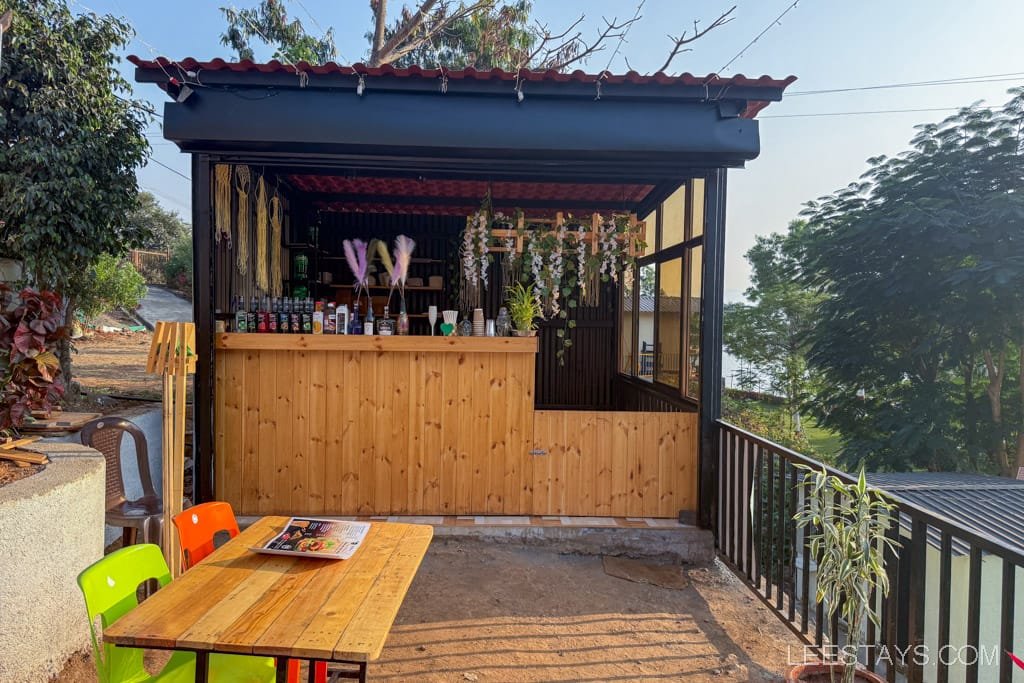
(772, 333)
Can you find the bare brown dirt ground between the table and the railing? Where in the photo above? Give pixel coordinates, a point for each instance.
(486, 613)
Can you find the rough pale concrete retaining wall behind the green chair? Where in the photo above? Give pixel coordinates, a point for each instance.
(51, 529)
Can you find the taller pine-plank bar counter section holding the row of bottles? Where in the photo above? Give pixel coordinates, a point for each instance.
(338, 424)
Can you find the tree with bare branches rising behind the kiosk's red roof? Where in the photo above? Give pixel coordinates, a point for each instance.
(482, 34)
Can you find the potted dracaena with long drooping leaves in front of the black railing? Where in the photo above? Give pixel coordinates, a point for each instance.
(848, 525)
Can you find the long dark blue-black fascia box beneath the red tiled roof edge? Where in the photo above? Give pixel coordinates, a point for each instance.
(567, 138)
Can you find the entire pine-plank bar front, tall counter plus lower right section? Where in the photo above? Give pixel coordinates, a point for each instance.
(350, 425)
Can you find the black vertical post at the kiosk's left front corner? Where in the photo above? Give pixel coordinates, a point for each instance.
(203, 308)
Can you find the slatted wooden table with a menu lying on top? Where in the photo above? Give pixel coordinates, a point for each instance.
(240, 603)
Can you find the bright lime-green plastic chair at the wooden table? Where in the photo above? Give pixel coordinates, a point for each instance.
(110, 587)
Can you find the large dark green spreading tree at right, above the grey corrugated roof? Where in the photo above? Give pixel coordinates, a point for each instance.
(922, 328)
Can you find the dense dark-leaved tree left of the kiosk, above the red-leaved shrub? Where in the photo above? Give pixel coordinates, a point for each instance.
(71, 145)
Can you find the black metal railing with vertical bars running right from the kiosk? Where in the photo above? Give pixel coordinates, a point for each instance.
(944, 577)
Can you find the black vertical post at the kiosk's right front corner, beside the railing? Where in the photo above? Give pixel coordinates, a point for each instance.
(711, 344)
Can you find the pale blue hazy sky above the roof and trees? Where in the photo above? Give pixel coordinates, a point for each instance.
(828, 45)
